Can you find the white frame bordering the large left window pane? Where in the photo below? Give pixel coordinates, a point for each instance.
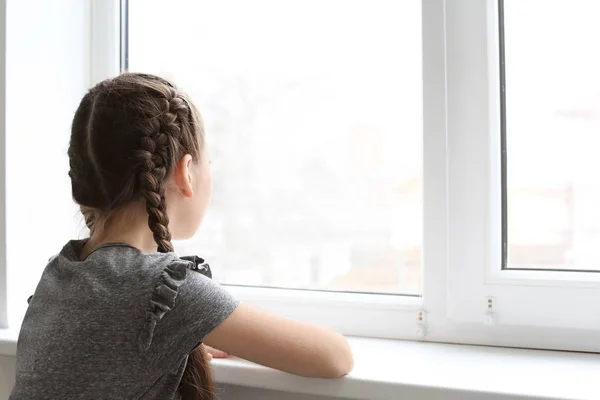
(386, 316)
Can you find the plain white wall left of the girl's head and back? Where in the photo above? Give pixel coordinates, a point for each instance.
(47, 73)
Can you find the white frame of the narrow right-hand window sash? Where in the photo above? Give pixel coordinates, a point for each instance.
(556, 310)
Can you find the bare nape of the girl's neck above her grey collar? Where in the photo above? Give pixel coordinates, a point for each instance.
(129, 225)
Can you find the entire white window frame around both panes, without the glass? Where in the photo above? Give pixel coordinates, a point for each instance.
(461, 195)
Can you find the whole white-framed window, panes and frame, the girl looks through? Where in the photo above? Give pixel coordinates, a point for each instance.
(410, 170)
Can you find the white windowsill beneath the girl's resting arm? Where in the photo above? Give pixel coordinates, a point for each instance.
(391, 369)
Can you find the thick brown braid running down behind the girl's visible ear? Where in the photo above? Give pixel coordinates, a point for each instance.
(155, 157)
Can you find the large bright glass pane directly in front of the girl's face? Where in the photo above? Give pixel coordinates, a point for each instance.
(313, 115)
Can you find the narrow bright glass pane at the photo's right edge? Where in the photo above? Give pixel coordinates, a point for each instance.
(553, 133)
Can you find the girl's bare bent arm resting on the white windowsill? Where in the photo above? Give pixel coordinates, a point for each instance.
(291, 346)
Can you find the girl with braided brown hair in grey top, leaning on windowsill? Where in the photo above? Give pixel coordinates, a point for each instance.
(119, 315)
